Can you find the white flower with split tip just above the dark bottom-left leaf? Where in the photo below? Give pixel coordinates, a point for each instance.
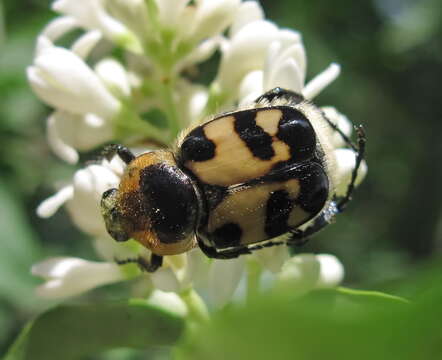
(66, 276)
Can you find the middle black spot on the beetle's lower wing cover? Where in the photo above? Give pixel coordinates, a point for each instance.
(279, 206)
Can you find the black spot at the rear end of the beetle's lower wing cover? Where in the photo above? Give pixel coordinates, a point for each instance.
(314, 188)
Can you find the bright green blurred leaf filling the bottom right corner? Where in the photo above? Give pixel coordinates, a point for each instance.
(326, 324)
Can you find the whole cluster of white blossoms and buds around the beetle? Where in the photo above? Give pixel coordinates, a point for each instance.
(130, 77)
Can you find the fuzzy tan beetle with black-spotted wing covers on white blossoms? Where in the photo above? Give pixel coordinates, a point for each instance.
(242, 181)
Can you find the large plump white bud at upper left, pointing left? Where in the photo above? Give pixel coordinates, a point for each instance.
(62, 79)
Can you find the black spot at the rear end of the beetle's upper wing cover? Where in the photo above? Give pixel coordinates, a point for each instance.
(296, 131)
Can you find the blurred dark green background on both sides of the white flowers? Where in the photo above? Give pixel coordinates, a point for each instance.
(391, 57)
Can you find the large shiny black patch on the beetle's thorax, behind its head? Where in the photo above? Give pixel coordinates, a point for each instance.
(170, 200)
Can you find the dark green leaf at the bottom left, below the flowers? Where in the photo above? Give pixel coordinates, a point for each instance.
(72, 331)
